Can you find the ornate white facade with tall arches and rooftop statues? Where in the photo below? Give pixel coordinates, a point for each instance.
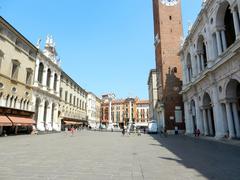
(46, 88)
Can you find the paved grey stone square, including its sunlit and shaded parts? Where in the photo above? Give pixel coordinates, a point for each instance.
(106, 155)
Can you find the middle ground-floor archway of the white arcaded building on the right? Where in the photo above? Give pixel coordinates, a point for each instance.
(209, 123)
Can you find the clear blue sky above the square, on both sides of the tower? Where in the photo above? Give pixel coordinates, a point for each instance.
(106, 46)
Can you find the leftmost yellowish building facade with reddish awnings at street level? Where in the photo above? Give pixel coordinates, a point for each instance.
(17, 65)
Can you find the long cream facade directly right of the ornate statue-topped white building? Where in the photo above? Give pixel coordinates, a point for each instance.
(73, 103)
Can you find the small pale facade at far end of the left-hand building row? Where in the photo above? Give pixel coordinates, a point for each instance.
(93, 110)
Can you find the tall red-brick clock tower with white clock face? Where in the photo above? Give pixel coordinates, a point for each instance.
(168, 32)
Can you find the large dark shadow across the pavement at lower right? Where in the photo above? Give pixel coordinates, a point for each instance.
(213, 160)
